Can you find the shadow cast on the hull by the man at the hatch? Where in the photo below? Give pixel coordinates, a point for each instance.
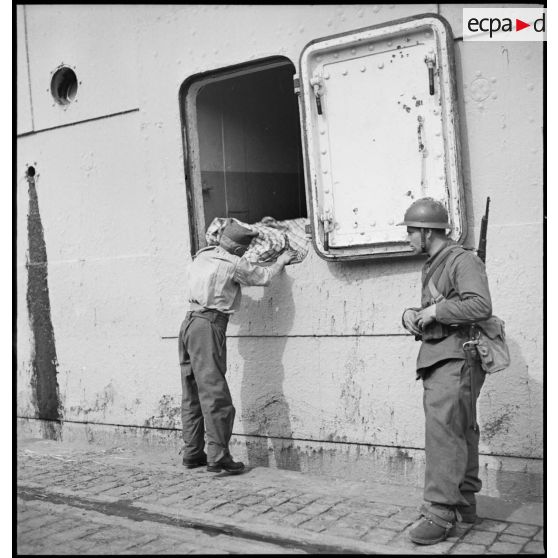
(265, 411)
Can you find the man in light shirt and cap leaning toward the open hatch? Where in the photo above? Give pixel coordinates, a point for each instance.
(214, 286)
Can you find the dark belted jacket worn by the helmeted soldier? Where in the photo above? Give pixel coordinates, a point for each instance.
(463, 283)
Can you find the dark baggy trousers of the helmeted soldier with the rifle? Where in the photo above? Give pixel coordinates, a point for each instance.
(451, 432)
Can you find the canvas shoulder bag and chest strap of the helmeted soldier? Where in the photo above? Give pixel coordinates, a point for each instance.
(489, 335)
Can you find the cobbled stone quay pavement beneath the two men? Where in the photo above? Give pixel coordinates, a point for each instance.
(282, 511)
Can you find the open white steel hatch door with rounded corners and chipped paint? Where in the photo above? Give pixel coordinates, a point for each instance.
(380, 130)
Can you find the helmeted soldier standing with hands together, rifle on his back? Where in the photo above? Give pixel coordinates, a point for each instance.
(455, 295)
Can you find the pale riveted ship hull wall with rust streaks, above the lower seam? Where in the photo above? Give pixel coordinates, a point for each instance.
(321, 354)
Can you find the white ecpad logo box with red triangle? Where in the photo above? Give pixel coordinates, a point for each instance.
(504, 24)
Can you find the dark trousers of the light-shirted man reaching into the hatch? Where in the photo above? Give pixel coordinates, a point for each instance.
(206, 399)
